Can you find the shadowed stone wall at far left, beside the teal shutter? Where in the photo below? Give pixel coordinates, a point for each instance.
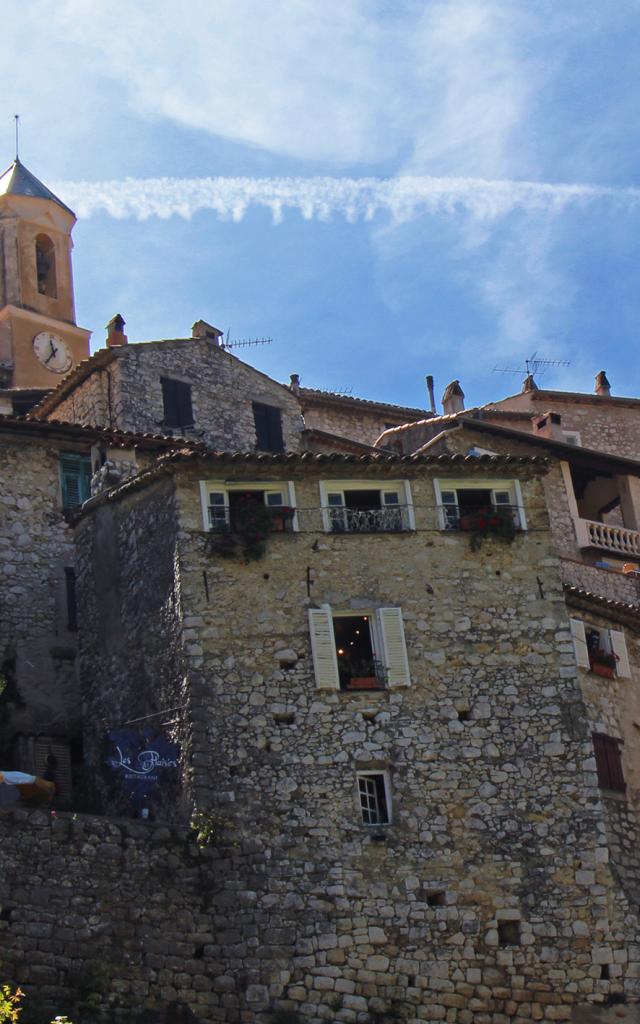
(37, 651)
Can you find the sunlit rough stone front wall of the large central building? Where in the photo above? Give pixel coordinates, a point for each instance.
(490, 898)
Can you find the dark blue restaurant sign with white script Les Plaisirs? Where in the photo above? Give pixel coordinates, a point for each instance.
(142, 761)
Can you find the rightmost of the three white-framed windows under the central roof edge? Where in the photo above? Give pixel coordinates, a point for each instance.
(458, 501)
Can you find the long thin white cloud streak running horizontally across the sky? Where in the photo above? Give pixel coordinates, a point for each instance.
(402, 199)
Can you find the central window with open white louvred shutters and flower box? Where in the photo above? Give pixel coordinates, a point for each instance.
(359, 651)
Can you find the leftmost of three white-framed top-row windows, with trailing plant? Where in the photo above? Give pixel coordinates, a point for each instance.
(223, 502)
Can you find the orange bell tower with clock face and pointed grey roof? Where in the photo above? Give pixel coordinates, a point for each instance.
(39, 339)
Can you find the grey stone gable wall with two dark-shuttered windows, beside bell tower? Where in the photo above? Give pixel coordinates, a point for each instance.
(127, 395)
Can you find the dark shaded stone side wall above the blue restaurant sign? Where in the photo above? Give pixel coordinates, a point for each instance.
(132, 633)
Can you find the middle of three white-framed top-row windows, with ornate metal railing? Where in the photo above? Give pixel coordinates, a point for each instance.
(361, 507)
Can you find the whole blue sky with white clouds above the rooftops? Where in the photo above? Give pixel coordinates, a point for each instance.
(388, 190)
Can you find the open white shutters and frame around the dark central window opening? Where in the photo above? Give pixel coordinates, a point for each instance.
(388, 639)
